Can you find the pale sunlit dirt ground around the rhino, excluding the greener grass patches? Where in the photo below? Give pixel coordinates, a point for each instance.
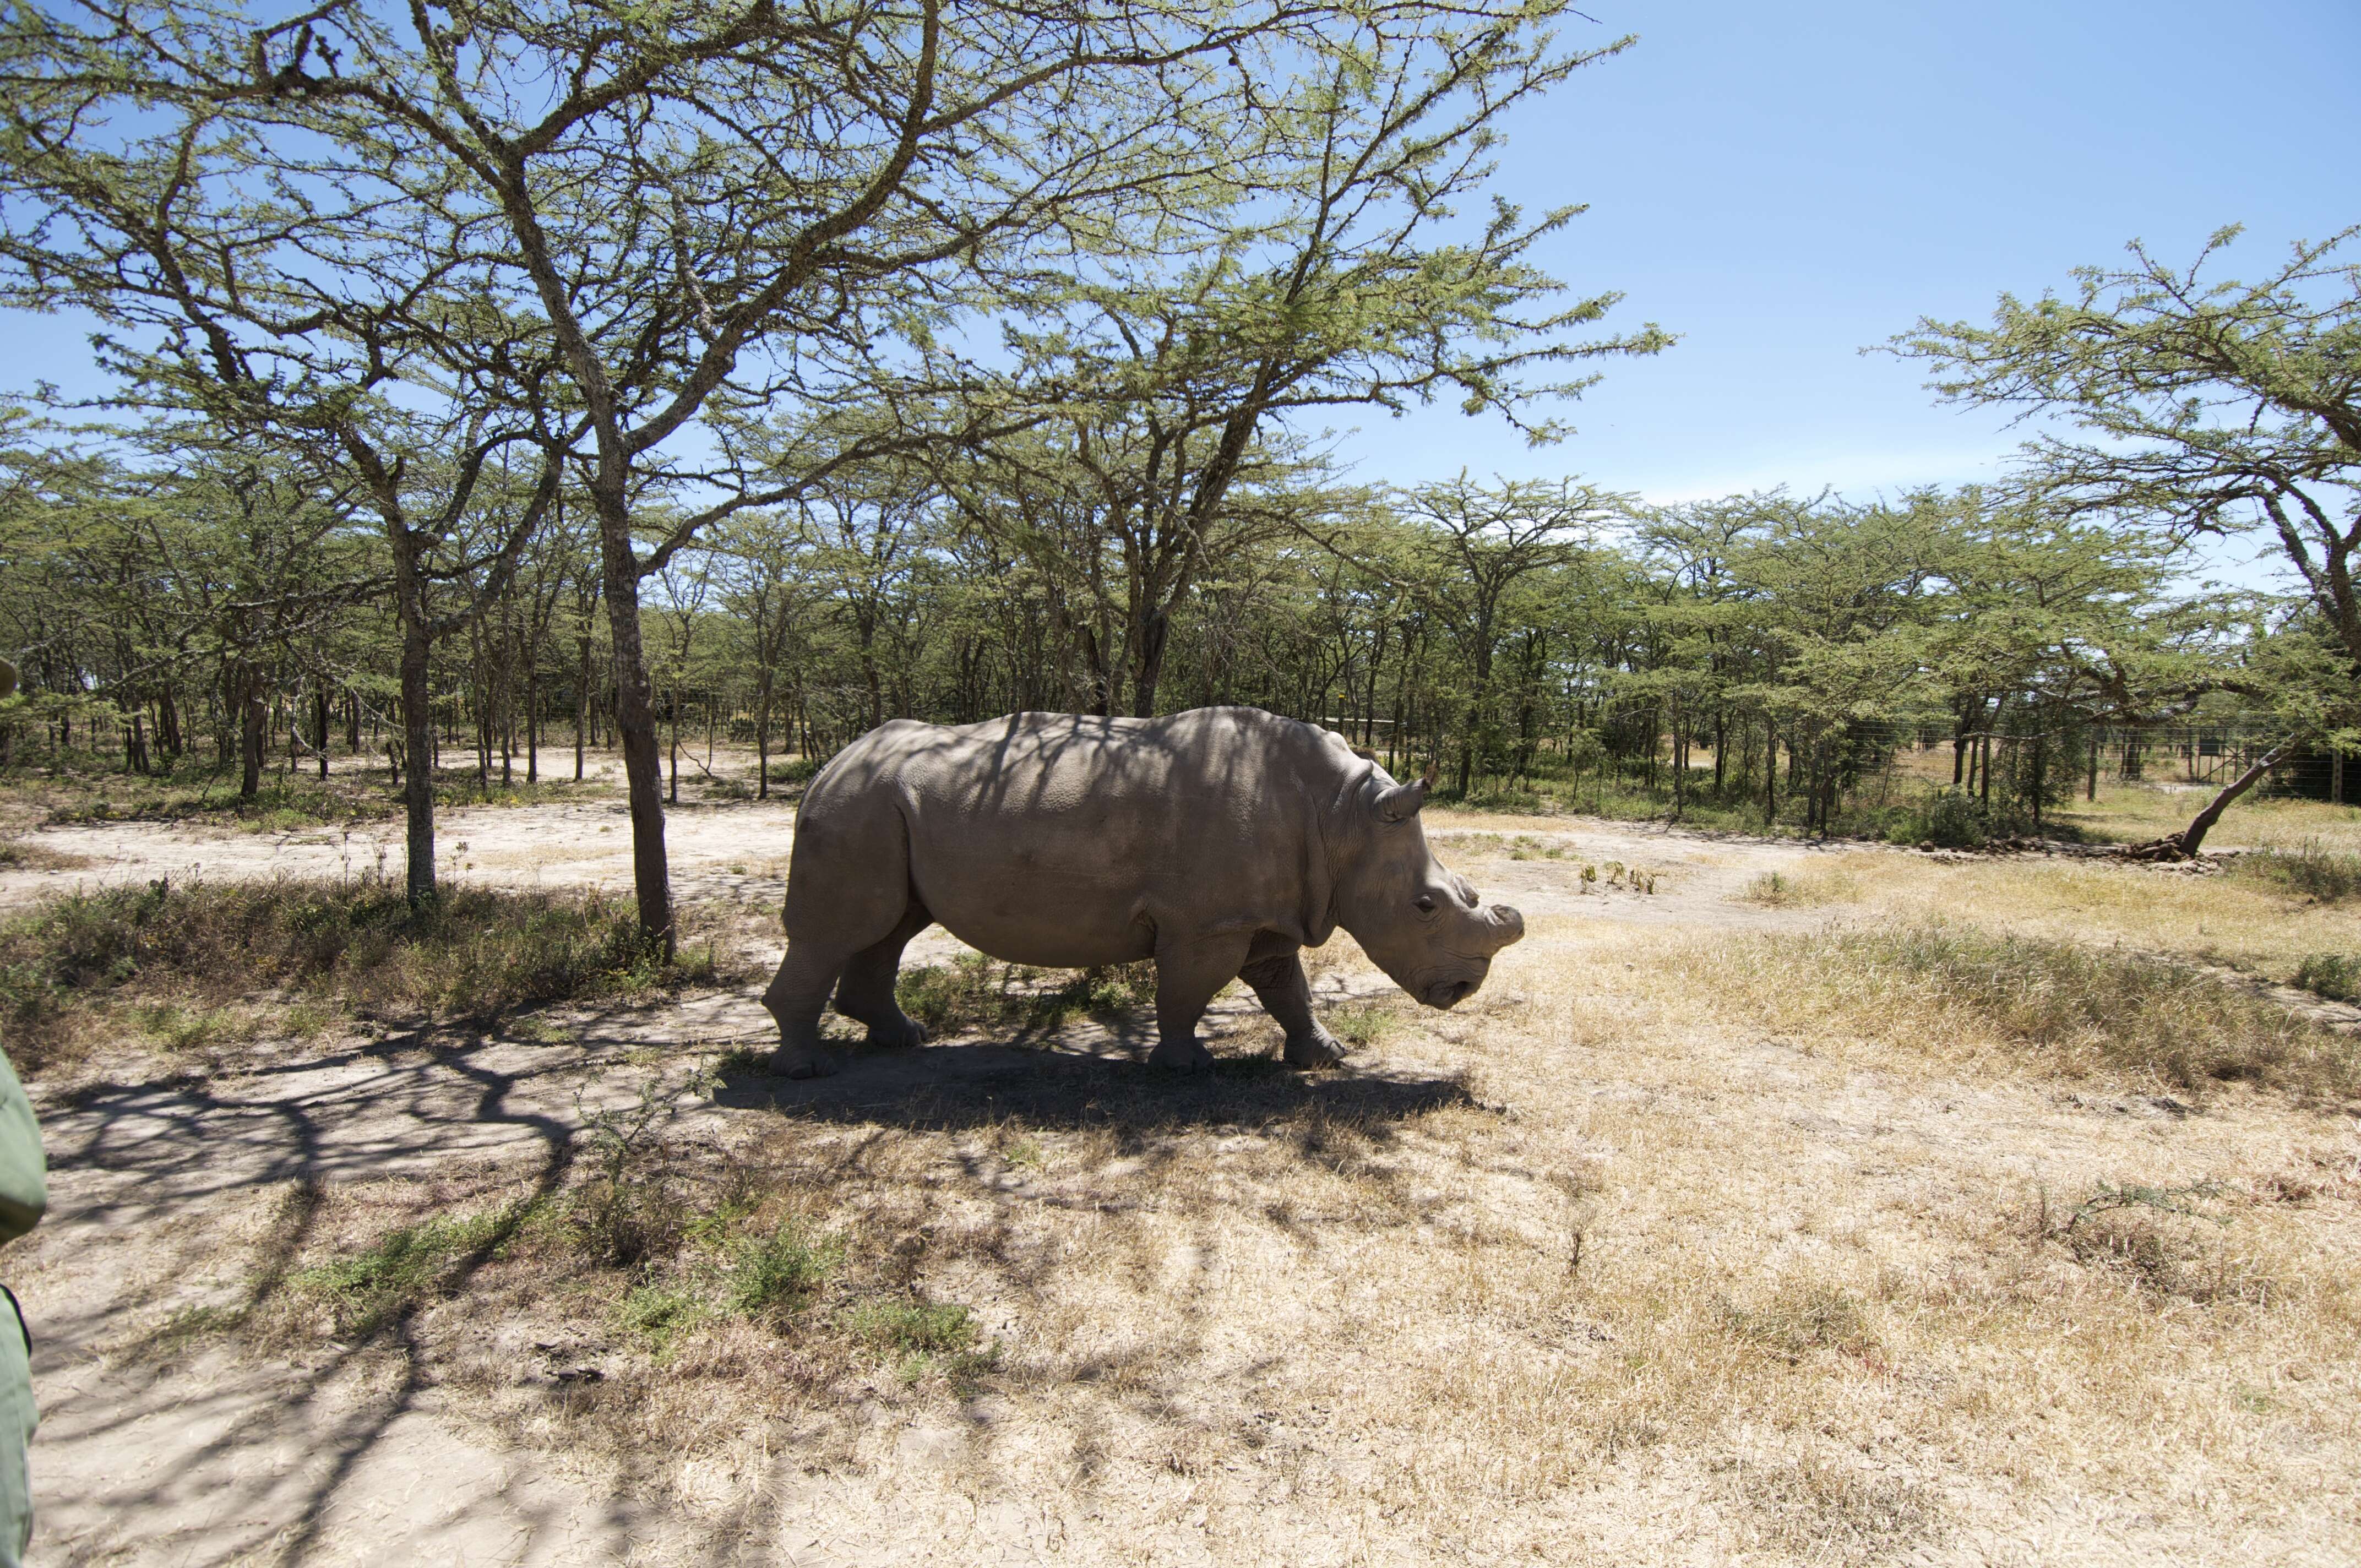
(1595, 1269)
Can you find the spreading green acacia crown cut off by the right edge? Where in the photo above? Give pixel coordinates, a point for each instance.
(2209, 405)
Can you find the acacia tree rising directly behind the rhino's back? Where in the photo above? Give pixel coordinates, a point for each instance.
(1340, 277)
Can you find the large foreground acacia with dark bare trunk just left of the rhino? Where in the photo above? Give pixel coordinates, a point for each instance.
(752, 207)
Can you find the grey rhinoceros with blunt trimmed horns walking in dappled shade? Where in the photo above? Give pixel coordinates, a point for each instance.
(1217, 842)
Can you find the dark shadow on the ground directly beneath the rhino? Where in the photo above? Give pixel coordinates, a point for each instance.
(983, 1083)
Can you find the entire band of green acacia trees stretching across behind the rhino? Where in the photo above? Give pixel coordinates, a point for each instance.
(476, 370)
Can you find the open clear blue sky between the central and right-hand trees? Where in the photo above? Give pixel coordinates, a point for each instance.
(1788, 185)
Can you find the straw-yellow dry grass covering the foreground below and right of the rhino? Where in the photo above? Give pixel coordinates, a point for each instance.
(1623, 1265)
